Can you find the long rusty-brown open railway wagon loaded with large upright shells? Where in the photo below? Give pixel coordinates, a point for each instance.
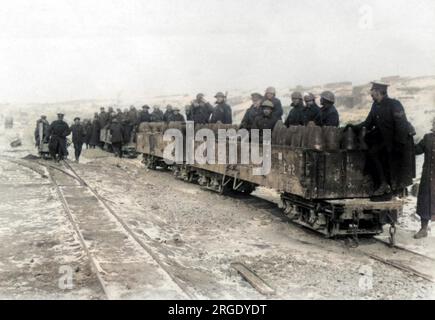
(319, 173)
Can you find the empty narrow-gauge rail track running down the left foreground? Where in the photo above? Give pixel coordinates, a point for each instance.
(158, 274)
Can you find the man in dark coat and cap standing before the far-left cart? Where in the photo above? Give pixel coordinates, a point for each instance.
(58, 131)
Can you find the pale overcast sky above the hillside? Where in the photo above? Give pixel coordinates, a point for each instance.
(52, 50)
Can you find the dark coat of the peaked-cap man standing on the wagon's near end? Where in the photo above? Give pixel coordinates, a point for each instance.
(388, 127)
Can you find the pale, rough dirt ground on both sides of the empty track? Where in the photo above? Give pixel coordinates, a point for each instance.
(194, 233)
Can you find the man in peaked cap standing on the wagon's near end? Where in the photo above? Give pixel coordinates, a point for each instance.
(390, 142)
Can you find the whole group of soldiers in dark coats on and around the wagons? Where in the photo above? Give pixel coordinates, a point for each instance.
(391, 149)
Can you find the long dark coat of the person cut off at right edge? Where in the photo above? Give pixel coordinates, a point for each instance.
(426, 191)
